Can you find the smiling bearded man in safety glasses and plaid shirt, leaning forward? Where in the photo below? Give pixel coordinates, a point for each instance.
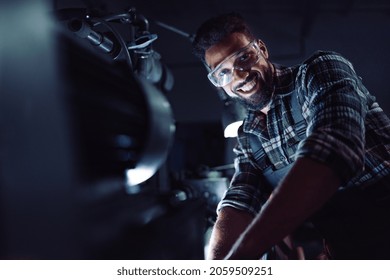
(315, 147)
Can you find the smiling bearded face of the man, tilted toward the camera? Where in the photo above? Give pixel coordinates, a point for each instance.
(251, 85)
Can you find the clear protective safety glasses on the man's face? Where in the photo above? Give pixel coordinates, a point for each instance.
(241, 60)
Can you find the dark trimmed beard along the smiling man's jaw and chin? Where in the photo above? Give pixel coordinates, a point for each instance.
(261, 98)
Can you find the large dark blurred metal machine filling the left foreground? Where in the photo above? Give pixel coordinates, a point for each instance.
(86, 129)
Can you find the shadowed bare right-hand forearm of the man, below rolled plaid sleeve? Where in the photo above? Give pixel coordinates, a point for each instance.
(306, 188)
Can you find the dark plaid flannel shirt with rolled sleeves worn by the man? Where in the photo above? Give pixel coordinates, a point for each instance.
(344, 128)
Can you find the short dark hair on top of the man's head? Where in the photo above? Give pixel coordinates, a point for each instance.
(215, 29)
